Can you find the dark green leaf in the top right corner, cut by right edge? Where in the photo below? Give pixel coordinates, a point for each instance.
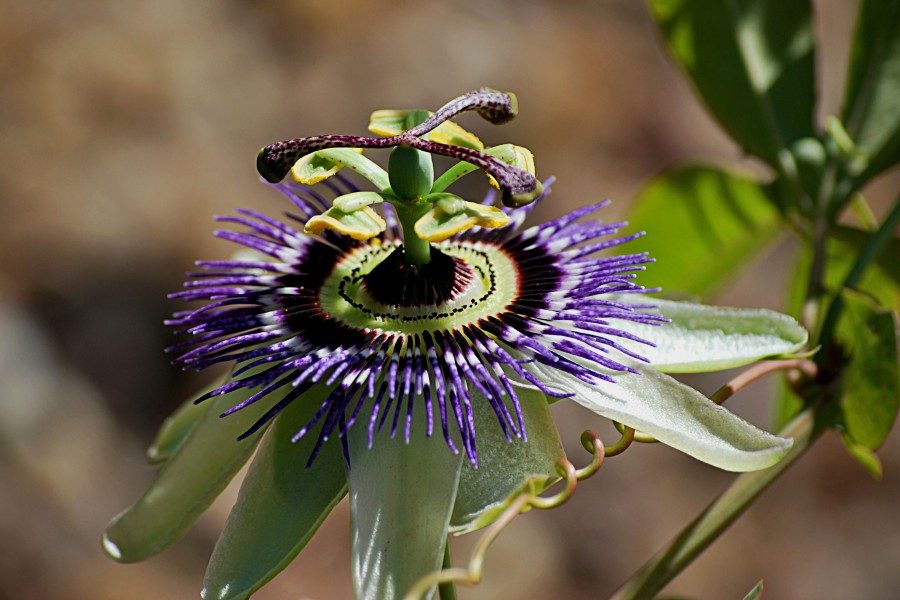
(871, 112)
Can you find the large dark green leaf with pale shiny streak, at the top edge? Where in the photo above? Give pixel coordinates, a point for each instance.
(752, 62)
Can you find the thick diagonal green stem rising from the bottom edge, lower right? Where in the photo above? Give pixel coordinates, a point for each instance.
(717, 517)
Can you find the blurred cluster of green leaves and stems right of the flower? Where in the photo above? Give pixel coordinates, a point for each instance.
(752, 62)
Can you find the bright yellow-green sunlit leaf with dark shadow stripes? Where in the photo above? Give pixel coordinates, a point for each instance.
(702, 225)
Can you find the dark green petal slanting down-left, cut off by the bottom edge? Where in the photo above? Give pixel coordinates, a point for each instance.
(280, 506)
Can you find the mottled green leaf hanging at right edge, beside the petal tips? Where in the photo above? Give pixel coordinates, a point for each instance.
(870, 389)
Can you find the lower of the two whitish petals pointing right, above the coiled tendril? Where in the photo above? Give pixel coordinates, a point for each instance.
(675, 414)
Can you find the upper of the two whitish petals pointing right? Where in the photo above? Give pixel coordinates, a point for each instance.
(703, 338)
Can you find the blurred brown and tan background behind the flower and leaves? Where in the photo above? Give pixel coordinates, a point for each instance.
(126, 125)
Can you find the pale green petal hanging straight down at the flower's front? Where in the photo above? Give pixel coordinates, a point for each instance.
(401, 497)
